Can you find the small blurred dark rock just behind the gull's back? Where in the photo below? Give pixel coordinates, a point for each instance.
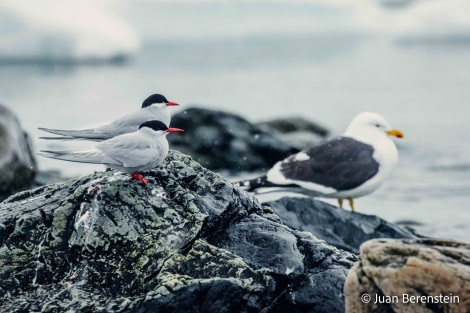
(297, 131)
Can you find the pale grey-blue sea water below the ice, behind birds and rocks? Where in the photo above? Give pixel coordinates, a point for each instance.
(327, 76)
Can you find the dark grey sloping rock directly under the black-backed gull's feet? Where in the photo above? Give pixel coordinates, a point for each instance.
(341, 228)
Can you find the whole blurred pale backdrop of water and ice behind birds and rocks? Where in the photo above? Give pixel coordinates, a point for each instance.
(72, 64)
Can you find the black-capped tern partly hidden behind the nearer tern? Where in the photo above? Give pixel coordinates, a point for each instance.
(154, 108)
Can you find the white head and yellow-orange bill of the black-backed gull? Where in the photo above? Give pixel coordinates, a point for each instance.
(370, 127)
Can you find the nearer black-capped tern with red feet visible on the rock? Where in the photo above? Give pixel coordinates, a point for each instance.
(132, 153)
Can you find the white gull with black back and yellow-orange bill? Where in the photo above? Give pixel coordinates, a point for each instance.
(349, 166)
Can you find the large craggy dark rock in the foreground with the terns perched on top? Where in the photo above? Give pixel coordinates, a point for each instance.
(188, 242)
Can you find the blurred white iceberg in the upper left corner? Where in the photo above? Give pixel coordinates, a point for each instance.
(62, 31)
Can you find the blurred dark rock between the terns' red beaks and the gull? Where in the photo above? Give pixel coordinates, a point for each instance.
(220, 140)
